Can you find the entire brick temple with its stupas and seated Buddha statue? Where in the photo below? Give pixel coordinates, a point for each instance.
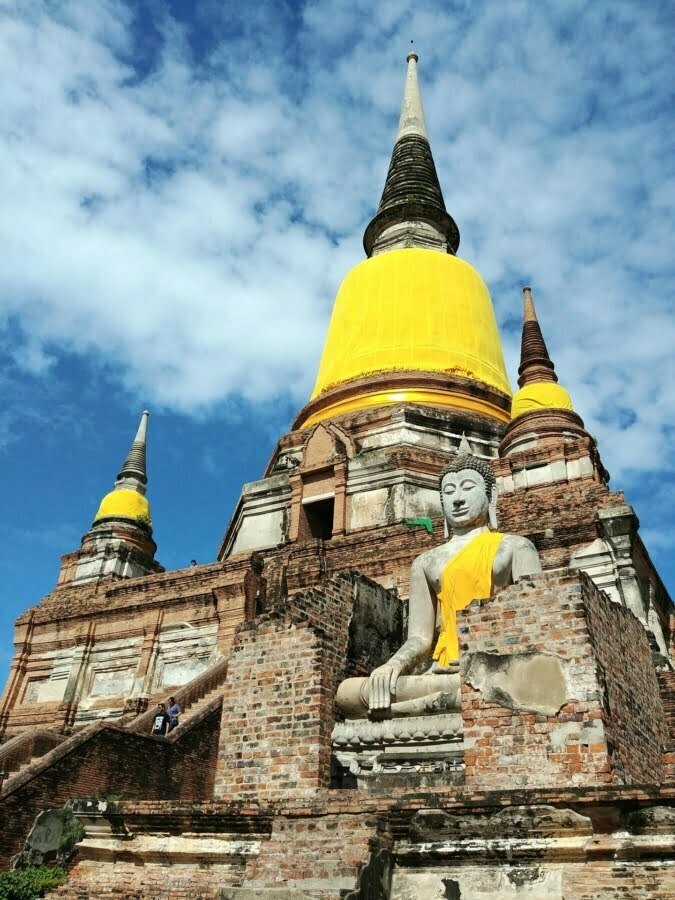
(387, 691)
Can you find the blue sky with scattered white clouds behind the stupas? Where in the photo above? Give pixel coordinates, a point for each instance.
(184, 185)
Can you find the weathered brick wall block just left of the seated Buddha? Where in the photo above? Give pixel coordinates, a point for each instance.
(278, 701)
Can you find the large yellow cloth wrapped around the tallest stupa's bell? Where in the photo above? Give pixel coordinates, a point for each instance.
(415, 310)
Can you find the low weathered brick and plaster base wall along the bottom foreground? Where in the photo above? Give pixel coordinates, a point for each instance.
(599, 838)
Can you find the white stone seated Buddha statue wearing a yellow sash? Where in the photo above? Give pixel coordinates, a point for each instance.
(475, 562)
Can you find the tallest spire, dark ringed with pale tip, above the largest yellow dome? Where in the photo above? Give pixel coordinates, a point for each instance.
(412, 211)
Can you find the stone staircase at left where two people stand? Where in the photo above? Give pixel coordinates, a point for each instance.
(26, 749)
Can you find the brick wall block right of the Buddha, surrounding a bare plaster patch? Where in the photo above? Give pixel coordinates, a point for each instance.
(601, 734)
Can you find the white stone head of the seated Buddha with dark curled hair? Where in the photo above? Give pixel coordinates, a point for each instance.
(468, 493)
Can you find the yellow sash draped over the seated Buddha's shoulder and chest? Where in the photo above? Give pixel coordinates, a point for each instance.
(467, 577)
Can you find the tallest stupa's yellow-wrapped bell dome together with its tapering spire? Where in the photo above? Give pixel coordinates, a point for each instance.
(413, 322)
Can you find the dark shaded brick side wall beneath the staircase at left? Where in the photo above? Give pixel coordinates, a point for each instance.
(110, 760)
